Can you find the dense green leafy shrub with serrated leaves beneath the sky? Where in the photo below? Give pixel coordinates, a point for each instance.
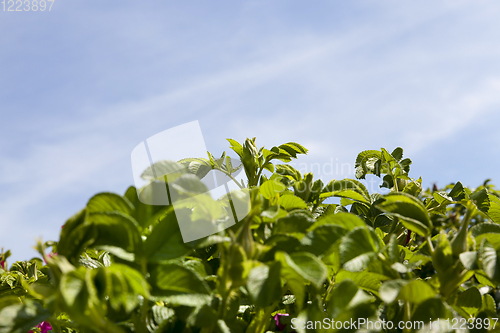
(122, 266)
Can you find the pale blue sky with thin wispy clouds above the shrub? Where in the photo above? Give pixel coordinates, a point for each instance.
(83, 84)
